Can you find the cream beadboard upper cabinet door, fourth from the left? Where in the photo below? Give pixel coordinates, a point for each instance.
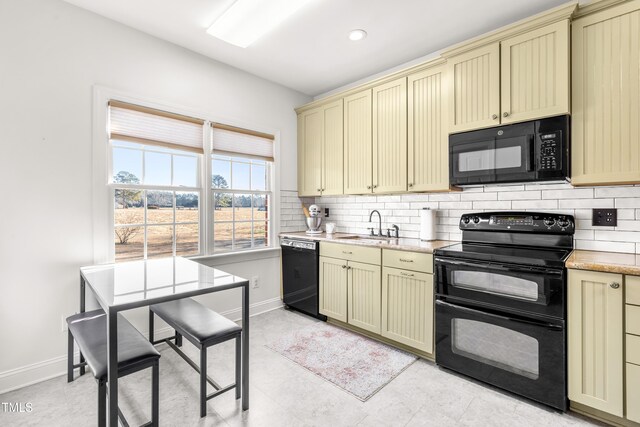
(390, 137)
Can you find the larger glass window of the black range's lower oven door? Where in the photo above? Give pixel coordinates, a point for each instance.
(496, 346)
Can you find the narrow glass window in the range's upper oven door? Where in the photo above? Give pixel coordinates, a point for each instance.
(499, 284)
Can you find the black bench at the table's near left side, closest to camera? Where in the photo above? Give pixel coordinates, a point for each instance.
(135, 353)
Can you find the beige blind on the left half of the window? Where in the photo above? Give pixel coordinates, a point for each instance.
(134, 123)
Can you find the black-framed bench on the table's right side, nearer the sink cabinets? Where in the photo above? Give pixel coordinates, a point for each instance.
(203, 328)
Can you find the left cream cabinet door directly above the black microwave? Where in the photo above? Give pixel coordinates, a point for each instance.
(474, 100)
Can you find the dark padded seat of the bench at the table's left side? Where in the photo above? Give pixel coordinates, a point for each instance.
(89, 329)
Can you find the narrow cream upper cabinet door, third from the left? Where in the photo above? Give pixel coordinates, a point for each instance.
(358, 157)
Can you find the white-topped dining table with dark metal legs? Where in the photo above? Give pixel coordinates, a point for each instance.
(127, 285)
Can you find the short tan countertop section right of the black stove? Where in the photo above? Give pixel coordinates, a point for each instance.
(608, 262)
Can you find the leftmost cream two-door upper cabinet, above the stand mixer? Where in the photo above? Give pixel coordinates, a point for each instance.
(320, 150)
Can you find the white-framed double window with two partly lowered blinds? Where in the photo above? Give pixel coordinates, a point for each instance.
(158, 185)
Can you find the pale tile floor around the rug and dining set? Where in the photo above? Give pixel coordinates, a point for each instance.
(284, 394)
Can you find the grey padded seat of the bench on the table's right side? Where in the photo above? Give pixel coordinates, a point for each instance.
(194, 321)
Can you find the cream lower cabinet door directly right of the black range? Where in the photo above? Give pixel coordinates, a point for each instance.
(595, 330)
